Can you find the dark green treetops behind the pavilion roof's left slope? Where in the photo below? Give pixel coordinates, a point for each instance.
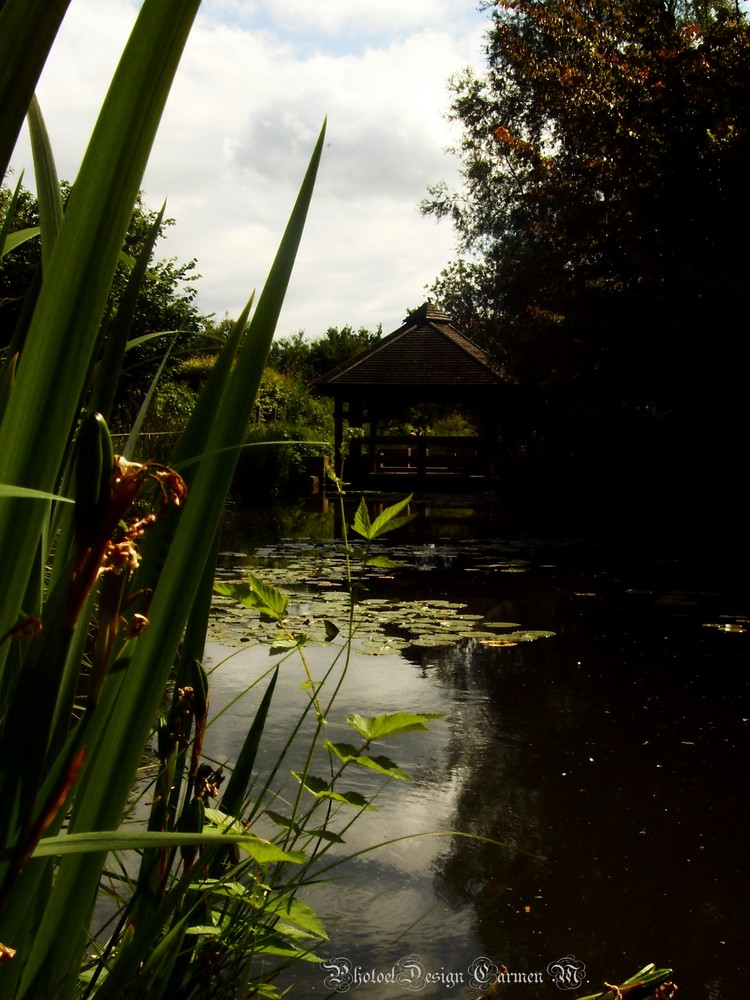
(308, 359)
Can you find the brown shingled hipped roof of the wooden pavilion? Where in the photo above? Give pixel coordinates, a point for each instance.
(426, 352)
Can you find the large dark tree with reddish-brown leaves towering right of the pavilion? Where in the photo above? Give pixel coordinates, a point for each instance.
(605, 156)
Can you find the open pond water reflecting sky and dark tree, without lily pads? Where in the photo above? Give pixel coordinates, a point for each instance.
(610, 760)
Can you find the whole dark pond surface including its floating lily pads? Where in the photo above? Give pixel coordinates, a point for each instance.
(594, 743)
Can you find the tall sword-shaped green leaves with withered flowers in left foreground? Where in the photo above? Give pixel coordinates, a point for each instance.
(107, 597)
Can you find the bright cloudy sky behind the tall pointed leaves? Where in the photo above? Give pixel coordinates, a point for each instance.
(256, 81)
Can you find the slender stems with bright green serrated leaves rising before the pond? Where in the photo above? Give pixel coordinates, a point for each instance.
(316, 817)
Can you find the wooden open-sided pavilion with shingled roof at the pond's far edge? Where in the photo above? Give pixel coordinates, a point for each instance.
(427, 360)
